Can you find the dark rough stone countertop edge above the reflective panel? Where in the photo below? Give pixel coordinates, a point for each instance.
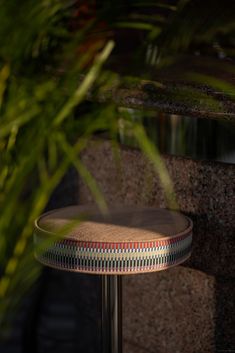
(196, 101)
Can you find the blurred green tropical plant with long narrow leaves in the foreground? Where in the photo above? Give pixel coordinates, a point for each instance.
(54, 56)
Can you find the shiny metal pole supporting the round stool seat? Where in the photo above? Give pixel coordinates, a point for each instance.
(111, 314)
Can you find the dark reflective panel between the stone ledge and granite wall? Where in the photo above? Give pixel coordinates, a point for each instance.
(204, 139)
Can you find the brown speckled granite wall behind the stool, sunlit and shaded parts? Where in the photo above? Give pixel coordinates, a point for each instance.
(190, 308)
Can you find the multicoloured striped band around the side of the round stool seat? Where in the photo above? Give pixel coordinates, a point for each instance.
(115, 258)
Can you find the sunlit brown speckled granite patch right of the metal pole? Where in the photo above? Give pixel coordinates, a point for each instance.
(169, 311)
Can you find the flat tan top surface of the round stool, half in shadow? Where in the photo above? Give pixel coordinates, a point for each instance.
(121, 224)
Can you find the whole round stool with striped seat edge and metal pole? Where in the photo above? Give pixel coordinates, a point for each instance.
(128, 240)
